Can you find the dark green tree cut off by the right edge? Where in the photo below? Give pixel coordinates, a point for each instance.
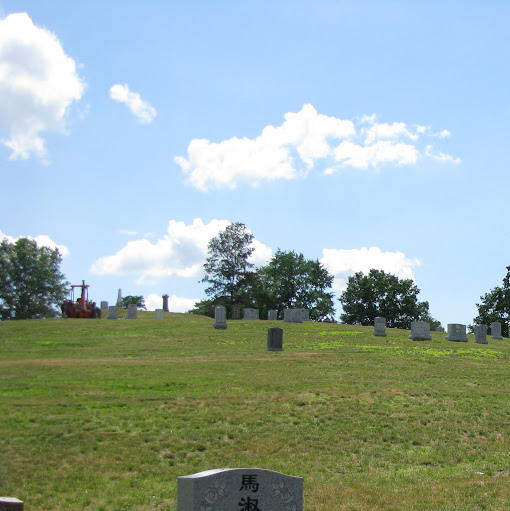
(495, 306)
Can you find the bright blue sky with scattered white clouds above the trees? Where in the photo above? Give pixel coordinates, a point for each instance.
(363, 134)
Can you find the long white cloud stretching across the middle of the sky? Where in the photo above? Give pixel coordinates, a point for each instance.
(304, 140)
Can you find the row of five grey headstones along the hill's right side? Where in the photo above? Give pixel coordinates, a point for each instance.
(420, 331)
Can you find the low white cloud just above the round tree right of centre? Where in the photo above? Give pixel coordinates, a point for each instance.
(344, 263)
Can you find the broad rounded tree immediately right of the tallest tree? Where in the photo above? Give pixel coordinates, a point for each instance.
(291, 281)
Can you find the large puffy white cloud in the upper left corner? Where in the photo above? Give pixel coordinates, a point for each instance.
(38, 83)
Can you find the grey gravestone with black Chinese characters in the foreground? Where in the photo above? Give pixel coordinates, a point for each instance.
(241, 489)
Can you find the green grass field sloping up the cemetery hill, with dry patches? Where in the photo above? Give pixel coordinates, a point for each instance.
(104, 415)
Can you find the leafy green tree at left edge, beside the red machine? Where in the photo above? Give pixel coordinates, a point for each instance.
(31, 284)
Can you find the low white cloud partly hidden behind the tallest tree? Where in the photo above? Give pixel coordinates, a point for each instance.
(180, 253)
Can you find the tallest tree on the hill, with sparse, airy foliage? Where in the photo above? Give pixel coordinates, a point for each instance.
(227, 268)
